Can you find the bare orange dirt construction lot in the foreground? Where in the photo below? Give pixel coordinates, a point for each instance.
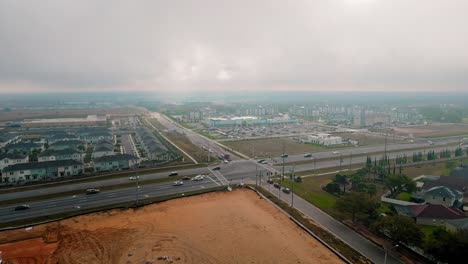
(236, 227)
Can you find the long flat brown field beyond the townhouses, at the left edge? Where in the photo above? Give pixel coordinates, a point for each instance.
(19, 115)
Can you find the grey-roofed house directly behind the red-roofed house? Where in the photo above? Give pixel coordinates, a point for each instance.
(444, 196)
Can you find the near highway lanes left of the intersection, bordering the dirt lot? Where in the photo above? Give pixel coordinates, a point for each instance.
(71, 203)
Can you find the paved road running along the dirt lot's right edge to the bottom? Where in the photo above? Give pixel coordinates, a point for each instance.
(373, 252)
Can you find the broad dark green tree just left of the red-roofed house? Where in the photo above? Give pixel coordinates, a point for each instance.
(400, 229)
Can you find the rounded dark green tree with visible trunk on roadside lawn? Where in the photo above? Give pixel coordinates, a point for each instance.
(354, 203)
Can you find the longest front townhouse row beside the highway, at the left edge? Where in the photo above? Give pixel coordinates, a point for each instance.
(36, 171)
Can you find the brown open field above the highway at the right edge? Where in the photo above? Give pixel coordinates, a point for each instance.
(434, 130)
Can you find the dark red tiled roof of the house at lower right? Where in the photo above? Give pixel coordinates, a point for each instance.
(436, 211)
